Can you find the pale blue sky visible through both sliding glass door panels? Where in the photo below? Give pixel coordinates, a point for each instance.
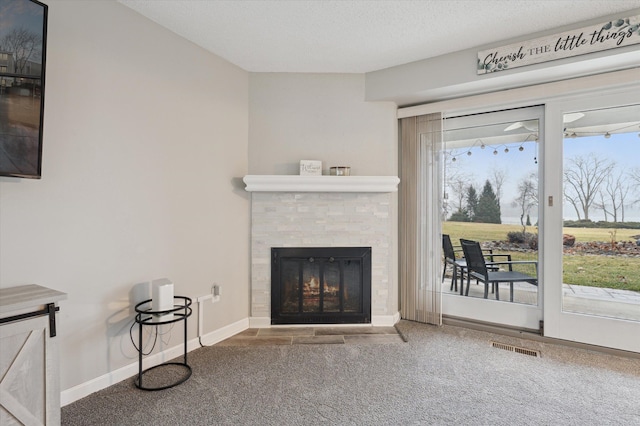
(623, 149)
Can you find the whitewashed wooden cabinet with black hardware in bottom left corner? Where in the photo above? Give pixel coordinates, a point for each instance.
(29, 367)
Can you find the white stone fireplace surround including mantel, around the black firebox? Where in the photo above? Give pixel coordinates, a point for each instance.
(323, 211)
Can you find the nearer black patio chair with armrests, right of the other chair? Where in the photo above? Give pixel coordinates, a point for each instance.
(487, 273)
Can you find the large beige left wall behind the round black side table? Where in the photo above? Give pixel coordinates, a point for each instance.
(144, 135)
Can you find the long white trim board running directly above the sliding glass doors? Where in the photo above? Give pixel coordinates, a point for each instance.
(527, 96)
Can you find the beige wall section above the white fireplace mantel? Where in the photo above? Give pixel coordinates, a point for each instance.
(324, 117)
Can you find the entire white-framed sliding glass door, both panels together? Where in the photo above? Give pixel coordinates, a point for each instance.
(550, 192)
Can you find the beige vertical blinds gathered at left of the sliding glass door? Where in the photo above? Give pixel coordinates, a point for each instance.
(419, 222)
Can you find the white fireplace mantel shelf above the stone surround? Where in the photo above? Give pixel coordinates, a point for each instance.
(295, 183)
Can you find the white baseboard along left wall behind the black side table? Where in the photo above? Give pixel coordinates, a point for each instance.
(75, 393)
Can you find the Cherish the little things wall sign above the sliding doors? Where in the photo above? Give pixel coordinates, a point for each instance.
(595, 38)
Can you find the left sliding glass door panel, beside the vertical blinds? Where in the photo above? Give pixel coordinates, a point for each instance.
(491, 196)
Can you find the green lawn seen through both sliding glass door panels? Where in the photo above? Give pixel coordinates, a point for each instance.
(614, 272)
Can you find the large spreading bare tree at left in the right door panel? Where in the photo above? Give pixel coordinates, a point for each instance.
(583, 178)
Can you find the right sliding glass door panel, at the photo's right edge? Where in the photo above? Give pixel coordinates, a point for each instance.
(594, 212)
